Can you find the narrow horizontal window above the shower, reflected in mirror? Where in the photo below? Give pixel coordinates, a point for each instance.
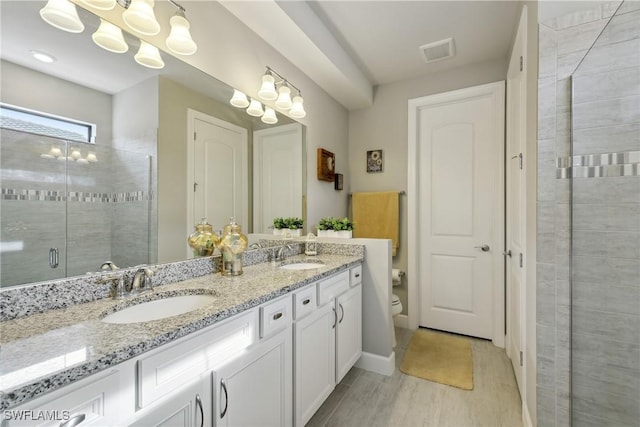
(22, 119)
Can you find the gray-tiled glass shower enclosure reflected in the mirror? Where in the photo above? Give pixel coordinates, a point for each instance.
(67, 207)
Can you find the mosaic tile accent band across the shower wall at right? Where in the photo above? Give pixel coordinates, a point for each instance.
(599, 165)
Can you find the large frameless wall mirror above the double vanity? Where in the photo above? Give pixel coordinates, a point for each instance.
(167, 148)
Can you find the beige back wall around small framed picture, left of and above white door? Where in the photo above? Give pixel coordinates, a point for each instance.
(384, 126)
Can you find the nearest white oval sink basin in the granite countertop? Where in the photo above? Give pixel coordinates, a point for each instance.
(159, 309)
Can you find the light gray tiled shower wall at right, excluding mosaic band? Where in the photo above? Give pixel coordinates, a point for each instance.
(605, 294)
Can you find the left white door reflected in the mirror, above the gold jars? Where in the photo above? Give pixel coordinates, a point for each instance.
(217, 154)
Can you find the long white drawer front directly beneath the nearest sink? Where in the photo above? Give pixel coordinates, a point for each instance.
(183, 362)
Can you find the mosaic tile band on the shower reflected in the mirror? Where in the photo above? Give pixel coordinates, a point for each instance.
(74, 196)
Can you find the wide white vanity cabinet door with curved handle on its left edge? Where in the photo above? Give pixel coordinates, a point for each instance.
(256, 388)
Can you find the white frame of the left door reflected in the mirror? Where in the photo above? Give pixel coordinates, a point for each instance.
(192, 115)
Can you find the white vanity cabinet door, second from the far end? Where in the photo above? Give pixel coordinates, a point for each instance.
(314, 356)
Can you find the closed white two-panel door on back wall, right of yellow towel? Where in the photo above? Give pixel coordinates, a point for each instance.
(460, 209)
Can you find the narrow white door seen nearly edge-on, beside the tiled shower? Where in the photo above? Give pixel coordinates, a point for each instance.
(516, 232)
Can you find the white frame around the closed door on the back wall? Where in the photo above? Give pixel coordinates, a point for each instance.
(415, 105)
